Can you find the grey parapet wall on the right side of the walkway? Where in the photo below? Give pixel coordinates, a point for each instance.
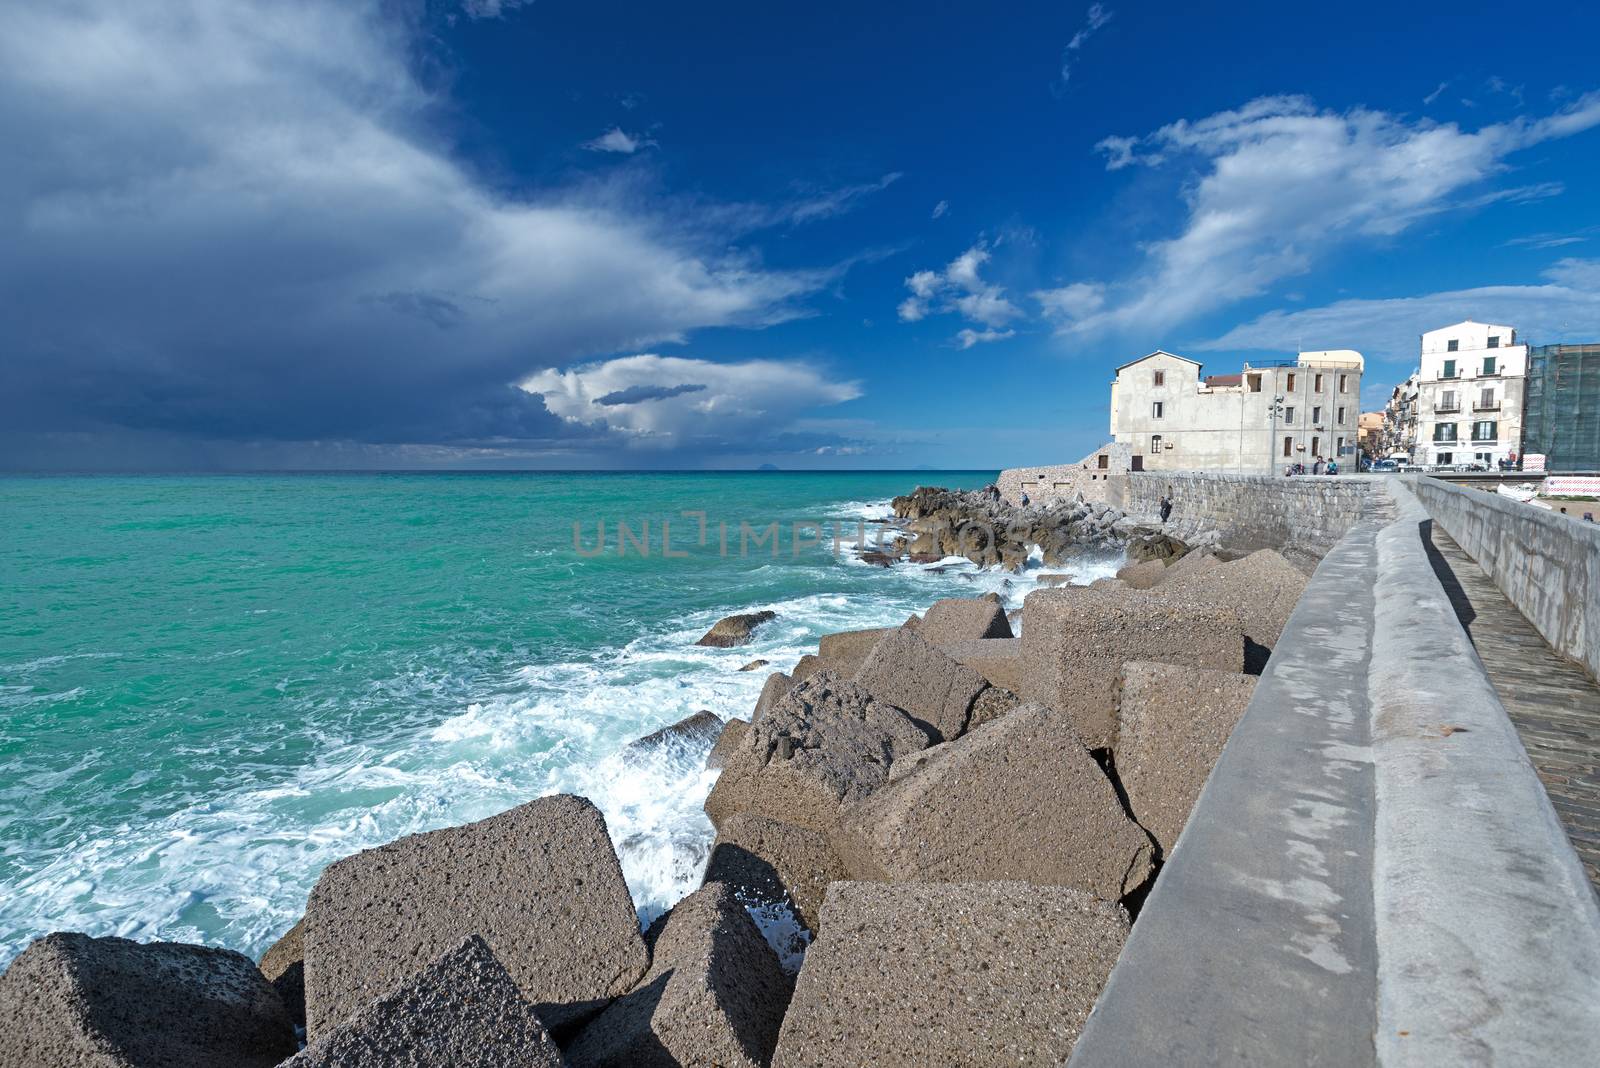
(1548, 565)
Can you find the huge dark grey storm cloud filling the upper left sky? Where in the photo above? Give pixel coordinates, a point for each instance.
(228, 223)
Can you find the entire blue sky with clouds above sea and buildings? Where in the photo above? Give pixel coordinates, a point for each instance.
(534, 234)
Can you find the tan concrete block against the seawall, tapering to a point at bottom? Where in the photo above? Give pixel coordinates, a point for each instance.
(1174, 725)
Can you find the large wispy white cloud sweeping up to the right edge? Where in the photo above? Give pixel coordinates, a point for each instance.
(1284, 183)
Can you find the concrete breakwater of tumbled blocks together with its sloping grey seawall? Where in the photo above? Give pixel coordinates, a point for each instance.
(983, 837)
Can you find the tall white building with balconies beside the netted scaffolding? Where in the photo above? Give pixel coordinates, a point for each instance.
(1470, 396)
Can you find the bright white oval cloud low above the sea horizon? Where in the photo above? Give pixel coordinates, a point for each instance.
(681, 404)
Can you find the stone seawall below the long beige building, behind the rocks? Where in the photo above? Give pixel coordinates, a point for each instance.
(1252, 511)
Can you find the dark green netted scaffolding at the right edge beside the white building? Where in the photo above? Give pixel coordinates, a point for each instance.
(1562, 415)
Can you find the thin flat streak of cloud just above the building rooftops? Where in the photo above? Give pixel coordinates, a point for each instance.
(1567, 308)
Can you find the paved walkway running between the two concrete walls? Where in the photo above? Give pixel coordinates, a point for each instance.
(1553, 703)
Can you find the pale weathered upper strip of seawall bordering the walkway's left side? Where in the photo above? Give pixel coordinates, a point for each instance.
(1489, 933)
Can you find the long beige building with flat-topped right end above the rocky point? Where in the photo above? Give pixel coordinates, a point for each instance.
(1258, 421)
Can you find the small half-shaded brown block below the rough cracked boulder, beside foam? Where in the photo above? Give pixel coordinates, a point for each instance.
(769, 861)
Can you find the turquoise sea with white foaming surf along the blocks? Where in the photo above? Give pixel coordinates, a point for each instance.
(214, 687)
